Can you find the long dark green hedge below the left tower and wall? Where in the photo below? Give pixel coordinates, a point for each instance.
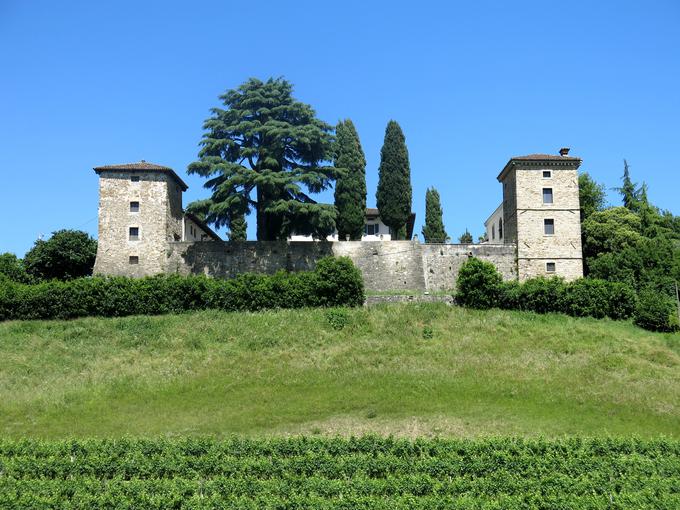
(334, 282)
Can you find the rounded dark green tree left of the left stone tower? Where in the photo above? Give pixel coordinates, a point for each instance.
(66, 255)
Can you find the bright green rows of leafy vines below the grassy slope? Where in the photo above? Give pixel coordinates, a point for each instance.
(368, 472)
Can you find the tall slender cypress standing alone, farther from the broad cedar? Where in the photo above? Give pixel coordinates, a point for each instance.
(394, 183)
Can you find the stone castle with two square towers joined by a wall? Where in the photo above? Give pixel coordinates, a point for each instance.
(536, 231)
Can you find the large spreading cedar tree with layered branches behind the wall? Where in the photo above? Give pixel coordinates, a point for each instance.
(264, 151)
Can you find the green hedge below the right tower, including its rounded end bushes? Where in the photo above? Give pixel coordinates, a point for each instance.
(480, 285)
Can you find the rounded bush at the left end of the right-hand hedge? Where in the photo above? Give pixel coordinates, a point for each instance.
(479, 284)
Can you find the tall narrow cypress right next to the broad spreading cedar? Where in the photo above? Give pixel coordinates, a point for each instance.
(350, 188)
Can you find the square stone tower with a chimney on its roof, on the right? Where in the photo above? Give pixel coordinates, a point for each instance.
(541, 214)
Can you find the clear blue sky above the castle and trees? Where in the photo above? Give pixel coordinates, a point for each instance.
(471, 83)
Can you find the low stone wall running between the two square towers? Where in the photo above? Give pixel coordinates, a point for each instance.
(385, 265)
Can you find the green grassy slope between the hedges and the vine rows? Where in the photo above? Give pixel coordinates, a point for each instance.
(290, 372)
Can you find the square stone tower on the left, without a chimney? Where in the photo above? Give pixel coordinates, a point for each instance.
(140, 211)
